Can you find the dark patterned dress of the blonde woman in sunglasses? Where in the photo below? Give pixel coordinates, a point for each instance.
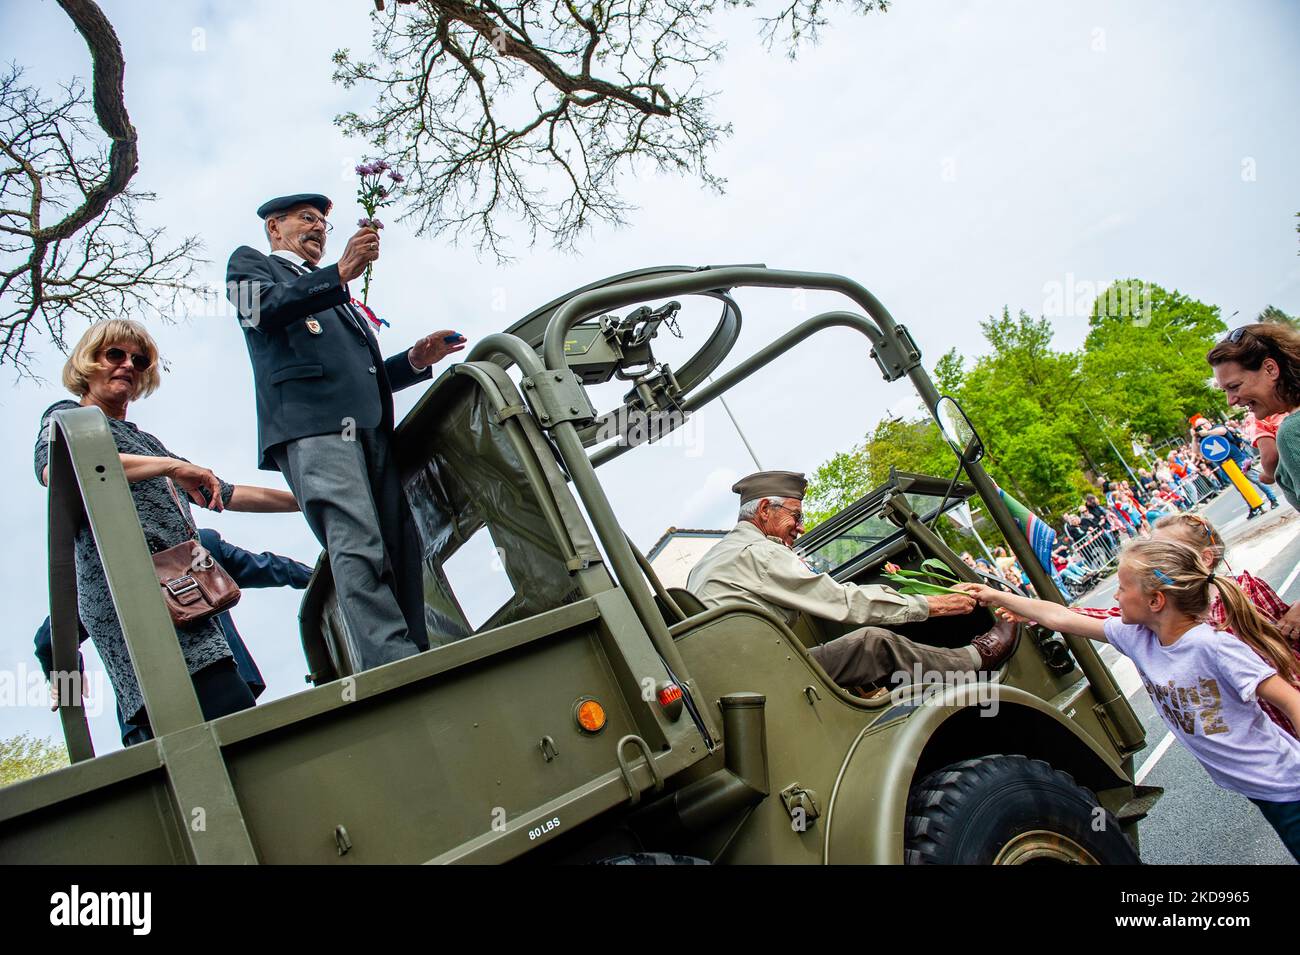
(164, 527)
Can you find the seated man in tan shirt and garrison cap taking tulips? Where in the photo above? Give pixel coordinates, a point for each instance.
(756, 565)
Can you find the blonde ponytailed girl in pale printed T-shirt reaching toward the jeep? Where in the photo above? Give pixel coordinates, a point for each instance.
(1204, 683)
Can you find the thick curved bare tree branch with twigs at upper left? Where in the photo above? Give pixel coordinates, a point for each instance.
(71, 240)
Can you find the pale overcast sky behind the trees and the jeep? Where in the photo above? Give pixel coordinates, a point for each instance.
(955, 158)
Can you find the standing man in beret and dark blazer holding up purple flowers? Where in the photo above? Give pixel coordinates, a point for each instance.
(326, 416)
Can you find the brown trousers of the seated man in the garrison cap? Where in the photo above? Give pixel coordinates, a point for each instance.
(873, 656)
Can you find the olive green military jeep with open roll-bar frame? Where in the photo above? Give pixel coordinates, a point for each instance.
(582, 711)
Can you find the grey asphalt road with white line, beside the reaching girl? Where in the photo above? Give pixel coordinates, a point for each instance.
(1197, 822)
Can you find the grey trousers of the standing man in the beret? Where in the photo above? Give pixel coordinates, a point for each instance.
(352, 496)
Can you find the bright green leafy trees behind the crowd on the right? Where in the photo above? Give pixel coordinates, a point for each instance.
(1051, 418)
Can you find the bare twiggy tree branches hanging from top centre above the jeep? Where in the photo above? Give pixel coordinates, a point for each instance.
(535, 111)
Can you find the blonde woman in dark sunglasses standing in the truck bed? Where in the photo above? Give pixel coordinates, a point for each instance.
(114, 364)
